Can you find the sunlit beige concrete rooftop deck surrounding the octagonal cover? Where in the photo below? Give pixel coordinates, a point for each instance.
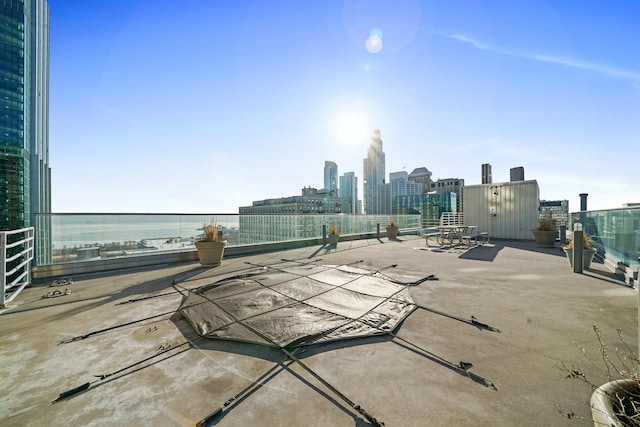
(545, 314)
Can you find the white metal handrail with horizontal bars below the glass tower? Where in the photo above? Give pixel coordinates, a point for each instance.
(15, 276)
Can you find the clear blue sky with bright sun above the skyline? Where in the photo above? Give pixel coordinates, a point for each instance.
(204, 106)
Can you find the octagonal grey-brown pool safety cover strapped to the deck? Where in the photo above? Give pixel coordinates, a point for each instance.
(297, 305)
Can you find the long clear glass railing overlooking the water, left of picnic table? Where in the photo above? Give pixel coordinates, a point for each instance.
(64, 238)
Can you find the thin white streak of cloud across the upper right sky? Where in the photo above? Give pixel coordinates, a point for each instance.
(567, 62)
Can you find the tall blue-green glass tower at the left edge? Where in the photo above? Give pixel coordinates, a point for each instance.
(25, 175)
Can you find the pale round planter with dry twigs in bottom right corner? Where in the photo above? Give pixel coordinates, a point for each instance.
(605, 402)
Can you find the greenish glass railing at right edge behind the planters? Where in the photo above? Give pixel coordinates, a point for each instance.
(614, 232)
